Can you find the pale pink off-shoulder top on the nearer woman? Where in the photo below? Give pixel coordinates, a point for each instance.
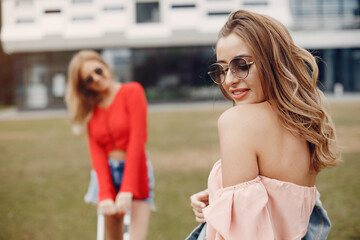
(262, 208)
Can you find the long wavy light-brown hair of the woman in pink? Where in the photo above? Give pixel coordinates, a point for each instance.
(289, 76)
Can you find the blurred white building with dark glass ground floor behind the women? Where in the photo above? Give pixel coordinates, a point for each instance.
(166, 45)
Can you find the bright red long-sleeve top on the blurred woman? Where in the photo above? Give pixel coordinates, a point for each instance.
(123, 126)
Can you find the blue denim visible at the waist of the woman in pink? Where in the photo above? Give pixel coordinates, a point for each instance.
(318, 228)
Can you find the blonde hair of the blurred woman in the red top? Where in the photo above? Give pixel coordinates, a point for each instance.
(79, 99)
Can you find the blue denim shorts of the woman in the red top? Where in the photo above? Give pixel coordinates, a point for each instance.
(117, 171)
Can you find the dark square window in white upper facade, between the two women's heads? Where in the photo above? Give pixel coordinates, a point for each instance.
(147, 12)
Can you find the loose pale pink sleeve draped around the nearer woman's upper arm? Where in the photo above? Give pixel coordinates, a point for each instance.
(240, 212)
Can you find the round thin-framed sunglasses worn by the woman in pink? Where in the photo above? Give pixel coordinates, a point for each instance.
(239, 67)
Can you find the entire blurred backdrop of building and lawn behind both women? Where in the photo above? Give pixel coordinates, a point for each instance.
(166, 45)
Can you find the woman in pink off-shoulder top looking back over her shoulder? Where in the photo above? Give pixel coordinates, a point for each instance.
(273, 141)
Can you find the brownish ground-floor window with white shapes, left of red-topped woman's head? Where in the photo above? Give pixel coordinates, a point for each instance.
(41, 79)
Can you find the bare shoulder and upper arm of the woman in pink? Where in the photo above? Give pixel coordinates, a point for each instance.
(240, 129)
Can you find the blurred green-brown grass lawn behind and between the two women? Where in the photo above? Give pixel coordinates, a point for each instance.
(45, 171)
